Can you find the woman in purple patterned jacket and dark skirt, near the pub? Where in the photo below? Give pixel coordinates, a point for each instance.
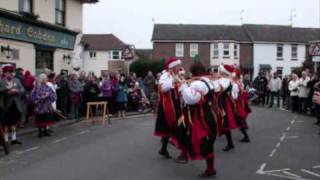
(44, 96)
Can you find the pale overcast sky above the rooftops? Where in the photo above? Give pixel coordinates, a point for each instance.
(132, 20)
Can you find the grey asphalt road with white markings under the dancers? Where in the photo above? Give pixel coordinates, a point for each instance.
(283, 146)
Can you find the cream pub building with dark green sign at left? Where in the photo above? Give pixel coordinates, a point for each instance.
(37, 34)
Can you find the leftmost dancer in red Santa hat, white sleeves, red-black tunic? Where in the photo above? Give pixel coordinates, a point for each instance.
(169, 105)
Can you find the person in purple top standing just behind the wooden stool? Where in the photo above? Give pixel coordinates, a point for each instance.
(107, 89)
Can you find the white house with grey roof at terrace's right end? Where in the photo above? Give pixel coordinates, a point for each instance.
(280, 49)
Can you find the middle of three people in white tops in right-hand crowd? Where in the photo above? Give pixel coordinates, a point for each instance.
(294, 92)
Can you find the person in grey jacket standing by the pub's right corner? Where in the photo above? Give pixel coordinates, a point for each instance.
(75, 93)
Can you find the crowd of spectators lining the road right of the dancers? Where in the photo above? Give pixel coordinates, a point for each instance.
(295, 92)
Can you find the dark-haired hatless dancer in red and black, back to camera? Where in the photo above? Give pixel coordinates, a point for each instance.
(199, 118)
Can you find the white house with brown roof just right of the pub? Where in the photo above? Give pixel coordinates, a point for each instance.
(102, 53)
